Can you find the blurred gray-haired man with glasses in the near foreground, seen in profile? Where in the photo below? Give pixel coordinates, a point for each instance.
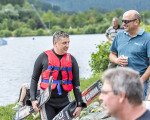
(122, 94)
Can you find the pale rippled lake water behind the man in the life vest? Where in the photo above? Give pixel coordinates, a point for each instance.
(18, 57)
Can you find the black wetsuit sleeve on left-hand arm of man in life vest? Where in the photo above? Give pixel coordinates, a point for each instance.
(37, 70)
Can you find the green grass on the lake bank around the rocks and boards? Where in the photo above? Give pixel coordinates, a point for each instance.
(6, 112)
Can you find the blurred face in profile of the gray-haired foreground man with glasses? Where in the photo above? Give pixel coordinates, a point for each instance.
(109, 99)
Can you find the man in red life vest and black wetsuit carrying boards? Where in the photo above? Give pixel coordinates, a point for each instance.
(64, 69)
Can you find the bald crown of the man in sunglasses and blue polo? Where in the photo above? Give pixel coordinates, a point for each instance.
(132, 14)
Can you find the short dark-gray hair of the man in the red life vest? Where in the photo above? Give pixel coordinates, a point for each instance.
(57, 35)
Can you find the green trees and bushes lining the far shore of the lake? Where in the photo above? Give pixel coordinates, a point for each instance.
(25, 19)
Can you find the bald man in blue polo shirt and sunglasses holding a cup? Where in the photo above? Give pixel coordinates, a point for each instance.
(131, 47)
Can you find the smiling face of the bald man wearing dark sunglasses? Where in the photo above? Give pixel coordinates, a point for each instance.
(128, 27)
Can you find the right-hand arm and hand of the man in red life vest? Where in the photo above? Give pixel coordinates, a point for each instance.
(76, 87)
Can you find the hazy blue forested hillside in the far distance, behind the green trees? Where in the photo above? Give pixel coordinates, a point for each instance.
(83, 5)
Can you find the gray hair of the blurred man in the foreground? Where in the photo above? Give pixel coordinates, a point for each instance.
(125, 80)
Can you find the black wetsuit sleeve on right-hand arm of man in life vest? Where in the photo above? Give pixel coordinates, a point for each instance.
(76, 82)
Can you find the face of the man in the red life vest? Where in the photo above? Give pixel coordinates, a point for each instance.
(62, 45)
